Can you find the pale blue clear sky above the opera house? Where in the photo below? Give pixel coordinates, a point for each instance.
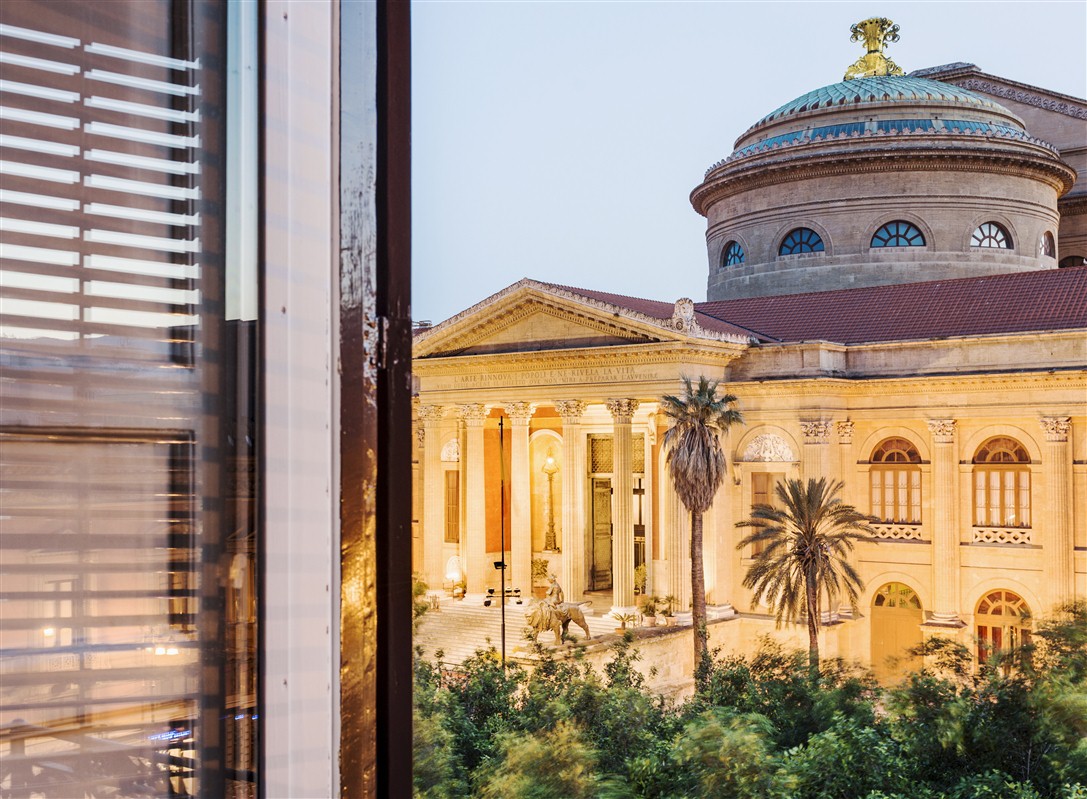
(561, 141)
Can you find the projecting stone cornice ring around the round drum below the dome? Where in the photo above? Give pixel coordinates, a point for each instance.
(810, 160)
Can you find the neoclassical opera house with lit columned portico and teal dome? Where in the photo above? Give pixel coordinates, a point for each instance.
(897, 295)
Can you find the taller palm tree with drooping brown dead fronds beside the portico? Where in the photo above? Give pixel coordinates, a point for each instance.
(697, 465)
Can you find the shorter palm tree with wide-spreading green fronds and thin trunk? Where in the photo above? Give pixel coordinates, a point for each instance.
(806, 545)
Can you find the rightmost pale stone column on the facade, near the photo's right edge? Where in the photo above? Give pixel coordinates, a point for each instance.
(1057, 516)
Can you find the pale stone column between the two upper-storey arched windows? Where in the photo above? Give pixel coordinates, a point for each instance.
(946, 593)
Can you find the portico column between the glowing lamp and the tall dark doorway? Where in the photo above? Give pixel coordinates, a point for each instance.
(573, 500)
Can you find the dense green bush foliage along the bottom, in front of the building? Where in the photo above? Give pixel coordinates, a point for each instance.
(763, 728)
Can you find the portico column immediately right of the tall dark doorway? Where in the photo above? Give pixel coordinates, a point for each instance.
(622, 411)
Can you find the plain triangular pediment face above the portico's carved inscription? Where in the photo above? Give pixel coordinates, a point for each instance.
(534, 326)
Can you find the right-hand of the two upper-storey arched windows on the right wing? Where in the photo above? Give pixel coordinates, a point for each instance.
(1002, 484)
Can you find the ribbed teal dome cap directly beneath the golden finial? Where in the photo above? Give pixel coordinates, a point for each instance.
(880, 90)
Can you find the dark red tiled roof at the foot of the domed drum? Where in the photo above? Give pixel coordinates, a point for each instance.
(1046, 301)
